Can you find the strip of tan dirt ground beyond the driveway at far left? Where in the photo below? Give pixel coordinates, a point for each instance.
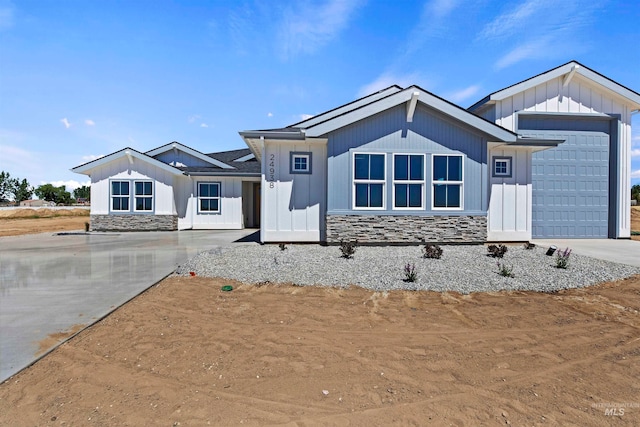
(17, 222)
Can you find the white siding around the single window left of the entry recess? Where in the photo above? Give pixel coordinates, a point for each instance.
(230, 216)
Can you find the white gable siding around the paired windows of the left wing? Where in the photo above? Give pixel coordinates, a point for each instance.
(121, 169)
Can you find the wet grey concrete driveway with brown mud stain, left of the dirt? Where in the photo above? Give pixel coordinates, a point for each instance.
(52, 286)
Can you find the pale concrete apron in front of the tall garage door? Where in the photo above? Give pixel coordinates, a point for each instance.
(621, 251)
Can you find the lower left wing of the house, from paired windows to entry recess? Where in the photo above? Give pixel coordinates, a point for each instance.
(173, 187)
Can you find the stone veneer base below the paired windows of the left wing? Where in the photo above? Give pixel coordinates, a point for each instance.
(134, 222)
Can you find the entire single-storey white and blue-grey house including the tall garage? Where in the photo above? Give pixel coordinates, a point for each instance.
(546, 157)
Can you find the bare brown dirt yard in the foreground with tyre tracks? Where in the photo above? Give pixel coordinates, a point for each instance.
(186, 353)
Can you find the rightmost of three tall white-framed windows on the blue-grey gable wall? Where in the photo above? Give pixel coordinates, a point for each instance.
(447, 181)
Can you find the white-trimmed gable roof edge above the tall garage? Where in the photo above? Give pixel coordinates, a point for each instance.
(569, 69)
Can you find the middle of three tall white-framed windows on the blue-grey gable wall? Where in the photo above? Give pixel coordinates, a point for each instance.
(408, 181)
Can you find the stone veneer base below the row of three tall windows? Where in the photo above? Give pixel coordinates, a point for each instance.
(406, 229)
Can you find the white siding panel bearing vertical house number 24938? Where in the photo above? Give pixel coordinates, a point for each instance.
(293, 205)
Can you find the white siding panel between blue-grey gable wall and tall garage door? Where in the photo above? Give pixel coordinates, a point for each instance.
(510, 204)
